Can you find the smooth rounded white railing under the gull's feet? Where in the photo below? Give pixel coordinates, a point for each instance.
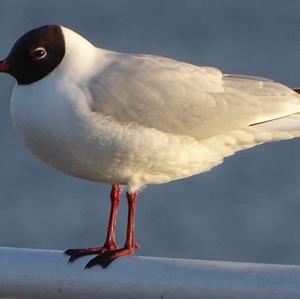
(29, 273)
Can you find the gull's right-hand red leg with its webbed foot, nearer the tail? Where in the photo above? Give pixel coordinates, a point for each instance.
(105, 258)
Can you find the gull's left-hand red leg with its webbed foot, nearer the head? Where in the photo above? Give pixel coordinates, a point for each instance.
(110, 242)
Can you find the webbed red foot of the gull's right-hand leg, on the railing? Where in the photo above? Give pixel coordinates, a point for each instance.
(105, 258)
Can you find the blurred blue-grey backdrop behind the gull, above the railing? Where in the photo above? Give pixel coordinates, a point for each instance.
(247, 209)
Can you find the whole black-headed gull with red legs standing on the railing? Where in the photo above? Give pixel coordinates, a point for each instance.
(132, 120)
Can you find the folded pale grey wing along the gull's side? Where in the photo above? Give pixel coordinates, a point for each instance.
(180, 98)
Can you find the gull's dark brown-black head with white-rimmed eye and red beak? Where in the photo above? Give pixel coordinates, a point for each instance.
(35, 54)
